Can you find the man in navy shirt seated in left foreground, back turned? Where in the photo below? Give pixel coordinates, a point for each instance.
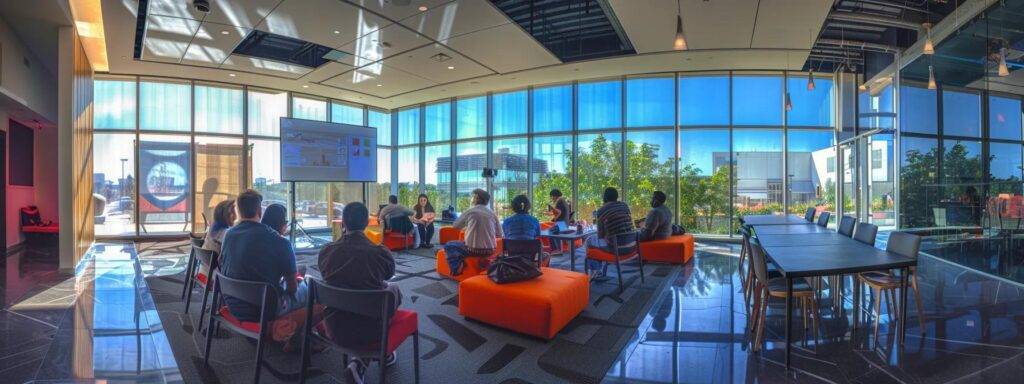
(253, 251)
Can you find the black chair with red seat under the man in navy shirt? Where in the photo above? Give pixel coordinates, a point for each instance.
(259, 294)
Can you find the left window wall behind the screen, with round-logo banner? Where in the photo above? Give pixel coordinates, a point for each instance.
(167, 151)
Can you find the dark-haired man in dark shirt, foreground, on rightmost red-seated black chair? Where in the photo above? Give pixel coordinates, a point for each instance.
(357, 264)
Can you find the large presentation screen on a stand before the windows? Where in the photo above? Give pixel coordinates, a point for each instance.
(316, 151)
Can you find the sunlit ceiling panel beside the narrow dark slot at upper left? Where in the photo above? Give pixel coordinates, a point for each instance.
(167, 38)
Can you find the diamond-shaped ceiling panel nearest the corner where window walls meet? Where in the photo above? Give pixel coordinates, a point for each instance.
(379, 80)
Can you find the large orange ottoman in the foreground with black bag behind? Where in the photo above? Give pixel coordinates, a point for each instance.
(541, 307)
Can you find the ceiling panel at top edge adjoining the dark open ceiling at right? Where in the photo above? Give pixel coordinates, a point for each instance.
(789, 24)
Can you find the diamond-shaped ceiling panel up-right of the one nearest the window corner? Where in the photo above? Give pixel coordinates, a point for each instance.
(423, 64)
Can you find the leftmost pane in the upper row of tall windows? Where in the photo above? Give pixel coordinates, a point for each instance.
(115, 105)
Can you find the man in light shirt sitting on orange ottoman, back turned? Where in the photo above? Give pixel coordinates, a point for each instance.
(482, 228)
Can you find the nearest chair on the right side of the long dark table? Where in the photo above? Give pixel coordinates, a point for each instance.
(887, 283)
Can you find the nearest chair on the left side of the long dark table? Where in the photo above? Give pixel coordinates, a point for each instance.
(765, 288)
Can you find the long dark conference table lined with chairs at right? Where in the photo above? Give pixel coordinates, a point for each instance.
(818, 253)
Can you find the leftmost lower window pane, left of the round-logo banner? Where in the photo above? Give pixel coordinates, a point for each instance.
(114, 184)
